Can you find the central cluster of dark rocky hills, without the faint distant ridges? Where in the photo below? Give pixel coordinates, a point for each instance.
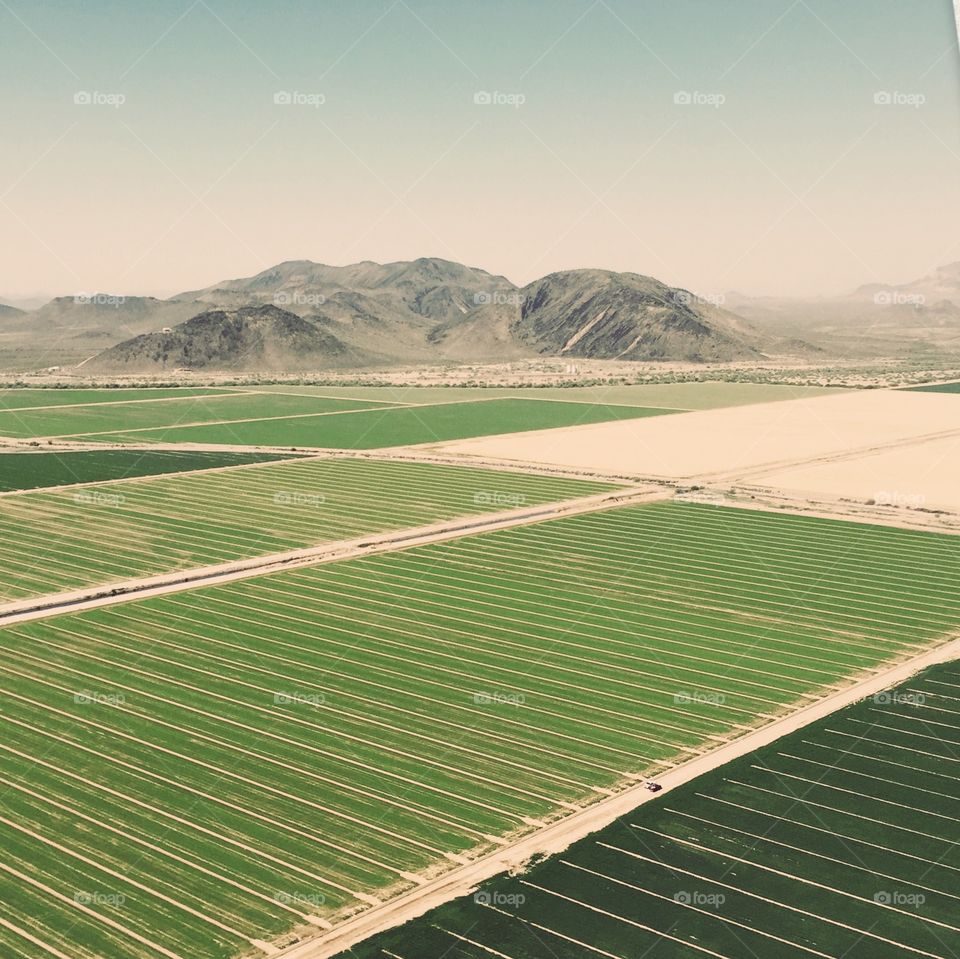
(303, 315)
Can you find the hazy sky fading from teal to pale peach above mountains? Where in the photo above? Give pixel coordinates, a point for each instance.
(782, 174)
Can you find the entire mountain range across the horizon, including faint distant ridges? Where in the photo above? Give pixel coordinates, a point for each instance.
(300, 315)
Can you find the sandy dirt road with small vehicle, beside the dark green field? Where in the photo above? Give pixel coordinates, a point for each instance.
(557, 836)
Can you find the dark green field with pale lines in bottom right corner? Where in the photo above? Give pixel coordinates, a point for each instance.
(842, 840)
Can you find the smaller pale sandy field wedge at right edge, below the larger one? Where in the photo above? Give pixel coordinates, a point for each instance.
(924, 475)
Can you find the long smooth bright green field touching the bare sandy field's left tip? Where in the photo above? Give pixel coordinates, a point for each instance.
(399, 426)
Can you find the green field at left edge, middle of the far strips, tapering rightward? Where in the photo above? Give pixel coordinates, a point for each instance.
(90, 421)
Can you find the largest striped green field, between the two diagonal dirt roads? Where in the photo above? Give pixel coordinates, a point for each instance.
(217, 766)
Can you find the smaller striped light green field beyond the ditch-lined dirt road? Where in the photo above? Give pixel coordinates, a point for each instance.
(67, 539)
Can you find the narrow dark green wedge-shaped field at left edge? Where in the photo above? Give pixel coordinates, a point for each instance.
(41, 468)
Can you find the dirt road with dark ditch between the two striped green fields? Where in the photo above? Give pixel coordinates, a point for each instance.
(140, 588)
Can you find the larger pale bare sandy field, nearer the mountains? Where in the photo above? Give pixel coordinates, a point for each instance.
(730, 444)
